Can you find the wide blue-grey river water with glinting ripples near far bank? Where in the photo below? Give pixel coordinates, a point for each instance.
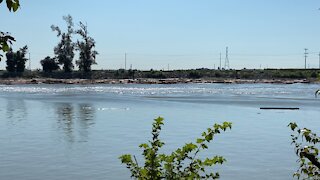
(78, 132)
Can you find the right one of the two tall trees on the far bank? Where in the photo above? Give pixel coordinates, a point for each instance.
(86, 47)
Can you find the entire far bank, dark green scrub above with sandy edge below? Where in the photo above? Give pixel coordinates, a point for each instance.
(121, 76)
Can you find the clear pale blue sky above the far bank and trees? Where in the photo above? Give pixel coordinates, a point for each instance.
(176, 34)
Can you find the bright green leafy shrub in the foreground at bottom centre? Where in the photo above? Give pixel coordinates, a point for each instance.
(183, 163)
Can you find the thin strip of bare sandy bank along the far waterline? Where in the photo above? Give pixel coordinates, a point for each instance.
(149, 81)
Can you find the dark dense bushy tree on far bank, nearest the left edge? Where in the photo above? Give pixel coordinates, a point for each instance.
(16, 60)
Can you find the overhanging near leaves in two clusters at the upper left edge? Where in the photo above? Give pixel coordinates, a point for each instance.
(5, 38)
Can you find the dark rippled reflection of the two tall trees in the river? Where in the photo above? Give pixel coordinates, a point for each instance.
(75, 121)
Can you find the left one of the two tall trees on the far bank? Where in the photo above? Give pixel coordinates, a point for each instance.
(64, 51)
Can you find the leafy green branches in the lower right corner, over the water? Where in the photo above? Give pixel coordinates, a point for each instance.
(307, 149)
